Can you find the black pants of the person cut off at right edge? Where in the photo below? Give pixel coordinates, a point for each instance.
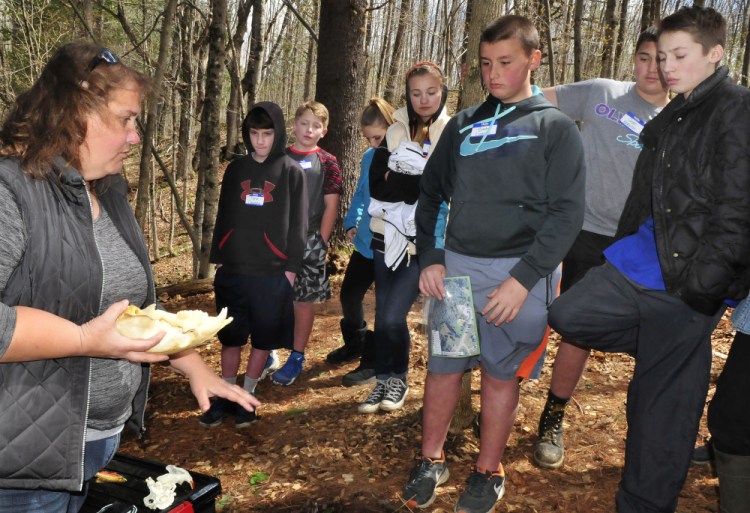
(729, 411)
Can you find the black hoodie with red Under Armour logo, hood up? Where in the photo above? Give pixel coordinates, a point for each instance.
(261, 222)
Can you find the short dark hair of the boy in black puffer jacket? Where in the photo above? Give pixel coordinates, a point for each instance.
(707, 26)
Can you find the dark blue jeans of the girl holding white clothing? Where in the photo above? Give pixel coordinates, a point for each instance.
(395, 292)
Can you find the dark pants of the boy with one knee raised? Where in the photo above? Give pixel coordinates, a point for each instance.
(671, 344)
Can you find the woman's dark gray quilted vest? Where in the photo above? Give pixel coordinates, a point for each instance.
(44, 404)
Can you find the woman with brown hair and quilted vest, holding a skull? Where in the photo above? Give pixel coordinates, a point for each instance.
(72, 258)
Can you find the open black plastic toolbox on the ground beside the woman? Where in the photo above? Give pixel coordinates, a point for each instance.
(128, 497)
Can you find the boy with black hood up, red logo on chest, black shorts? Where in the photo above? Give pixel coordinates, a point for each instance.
(257, 247)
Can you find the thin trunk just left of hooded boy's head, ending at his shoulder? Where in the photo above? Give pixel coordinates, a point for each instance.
(234, 106)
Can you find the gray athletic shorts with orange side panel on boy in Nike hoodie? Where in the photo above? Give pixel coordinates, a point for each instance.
(508, 351)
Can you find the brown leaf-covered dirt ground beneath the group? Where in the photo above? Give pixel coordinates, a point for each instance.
(313, 452)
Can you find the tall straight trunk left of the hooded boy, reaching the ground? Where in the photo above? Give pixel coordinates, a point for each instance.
(208, 166)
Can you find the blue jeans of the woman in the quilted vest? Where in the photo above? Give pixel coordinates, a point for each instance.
(98, 454)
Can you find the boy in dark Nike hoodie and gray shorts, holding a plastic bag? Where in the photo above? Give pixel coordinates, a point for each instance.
(512, 169)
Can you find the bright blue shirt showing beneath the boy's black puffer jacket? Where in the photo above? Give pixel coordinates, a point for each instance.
(635, 256)
